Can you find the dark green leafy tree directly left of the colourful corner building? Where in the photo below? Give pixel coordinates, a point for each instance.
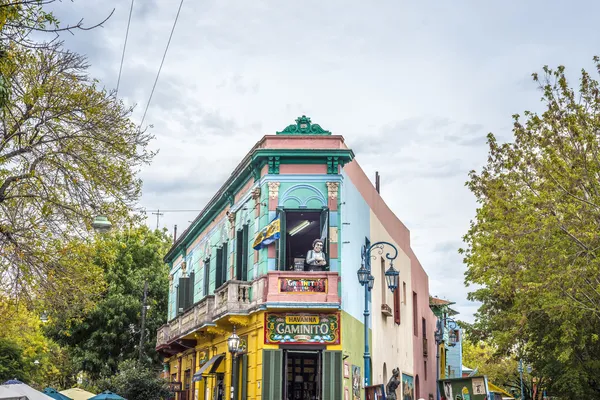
(110, 333)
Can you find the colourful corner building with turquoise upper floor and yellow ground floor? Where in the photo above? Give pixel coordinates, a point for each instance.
(252, 261)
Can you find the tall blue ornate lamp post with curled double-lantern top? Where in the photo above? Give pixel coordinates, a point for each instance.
(367, 280)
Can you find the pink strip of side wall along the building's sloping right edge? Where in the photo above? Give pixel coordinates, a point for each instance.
(419, 279)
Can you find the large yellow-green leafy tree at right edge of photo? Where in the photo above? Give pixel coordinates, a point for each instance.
(533, 246)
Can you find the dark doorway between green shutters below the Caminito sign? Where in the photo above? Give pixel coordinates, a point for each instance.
(302, 374)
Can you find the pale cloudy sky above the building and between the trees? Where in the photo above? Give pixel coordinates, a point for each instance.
(413, 86)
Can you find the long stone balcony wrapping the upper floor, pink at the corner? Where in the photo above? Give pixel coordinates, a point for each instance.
(277, 289)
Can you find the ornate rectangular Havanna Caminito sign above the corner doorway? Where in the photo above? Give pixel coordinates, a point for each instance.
(296, 328)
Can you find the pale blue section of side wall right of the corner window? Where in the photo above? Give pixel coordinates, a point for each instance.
(355, 212)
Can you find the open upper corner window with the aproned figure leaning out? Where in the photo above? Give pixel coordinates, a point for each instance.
(299, 229)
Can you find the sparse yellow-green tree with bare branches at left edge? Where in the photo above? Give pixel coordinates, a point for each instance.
(68, 152)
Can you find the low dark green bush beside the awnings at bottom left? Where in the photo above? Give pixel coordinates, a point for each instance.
(137, 382)
